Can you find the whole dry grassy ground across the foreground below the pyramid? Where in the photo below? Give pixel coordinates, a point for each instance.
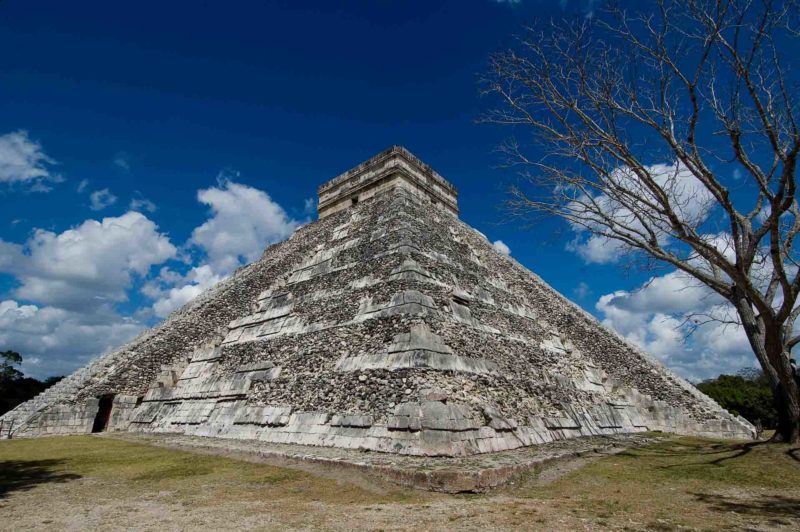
(85, 482)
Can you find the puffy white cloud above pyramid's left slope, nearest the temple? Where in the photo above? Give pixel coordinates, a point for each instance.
(244, 221)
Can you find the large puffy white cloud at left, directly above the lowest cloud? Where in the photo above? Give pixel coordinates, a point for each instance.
(88, 266)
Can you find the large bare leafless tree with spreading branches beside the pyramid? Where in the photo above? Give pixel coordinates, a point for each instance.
(708, 87)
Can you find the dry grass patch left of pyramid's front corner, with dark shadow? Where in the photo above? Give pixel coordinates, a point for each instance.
(81, 473)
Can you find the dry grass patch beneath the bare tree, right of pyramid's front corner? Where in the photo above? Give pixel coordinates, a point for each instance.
(681, 482)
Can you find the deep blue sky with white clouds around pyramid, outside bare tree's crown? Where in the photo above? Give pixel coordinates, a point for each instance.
(144, 136)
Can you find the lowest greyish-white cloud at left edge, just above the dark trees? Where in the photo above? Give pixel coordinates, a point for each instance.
(55, 341)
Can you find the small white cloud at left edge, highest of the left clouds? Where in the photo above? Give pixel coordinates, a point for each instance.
(23, 161)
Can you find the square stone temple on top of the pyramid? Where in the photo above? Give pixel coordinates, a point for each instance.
(390, 169)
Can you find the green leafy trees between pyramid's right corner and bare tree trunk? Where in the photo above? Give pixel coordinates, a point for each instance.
(747, 394)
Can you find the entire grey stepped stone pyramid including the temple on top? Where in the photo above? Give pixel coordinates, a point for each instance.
(387, 325)
